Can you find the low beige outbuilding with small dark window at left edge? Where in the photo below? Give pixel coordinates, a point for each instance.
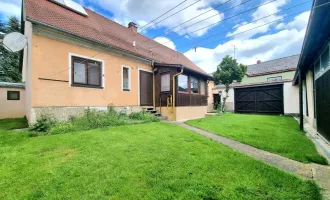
(12, 100)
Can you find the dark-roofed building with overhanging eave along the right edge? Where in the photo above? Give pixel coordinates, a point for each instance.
(313, 72)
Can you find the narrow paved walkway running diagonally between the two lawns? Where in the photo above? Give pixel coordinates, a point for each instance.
(318, 173)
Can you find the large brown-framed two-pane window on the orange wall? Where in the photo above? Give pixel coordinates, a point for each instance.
(86, 73)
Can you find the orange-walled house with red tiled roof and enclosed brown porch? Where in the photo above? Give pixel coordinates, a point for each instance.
(77, 58)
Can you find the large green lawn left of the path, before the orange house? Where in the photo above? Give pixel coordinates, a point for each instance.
(145, 161)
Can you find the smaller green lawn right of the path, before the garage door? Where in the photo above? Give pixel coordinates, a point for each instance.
(277, 134)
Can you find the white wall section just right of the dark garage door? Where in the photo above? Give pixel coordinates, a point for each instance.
(291, 98)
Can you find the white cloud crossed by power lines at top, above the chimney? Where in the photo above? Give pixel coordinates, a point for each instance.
(133, 10)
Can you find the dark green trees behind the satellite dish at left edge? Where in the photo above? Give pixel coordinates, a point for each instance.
(9, 61)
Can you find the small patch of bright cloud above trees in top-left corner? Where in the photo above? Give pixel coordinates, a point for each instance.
(10, 8)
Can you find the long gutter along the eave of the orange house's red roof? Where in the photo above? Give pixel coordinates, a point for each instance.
(91, 40)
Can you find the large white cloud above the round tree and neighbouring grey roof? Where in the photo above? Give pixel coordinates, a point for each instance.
(263, 48)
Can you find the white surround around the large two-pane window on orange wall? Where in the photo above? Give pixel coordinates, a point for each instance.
(89, 58)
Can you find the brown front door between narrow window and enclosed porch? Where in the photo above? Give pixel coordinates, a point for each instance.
(146, 88)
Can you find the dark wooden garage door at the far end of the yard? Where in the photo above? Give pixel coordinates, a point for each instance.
(261, 99)
